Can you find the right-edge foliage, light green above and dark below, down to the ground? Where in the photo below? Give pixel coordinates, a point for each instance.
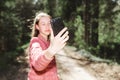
(109, 31)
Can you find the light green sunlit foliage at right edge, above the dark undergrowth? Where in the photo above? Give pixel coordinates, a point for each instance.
(108, 27)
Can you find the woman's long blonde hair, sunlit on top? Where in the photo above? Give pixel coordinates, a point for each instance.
(35, 32)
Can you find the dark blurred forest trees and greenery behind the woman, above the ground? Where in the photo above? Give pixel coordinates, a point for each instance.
(94, 25)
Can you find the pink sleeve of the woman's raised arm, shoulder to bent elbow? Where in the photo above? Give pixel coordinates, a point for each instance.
(38, 59)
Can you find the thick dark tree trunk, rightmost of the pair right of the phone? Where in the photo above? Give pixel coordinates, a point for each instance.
(94, 22)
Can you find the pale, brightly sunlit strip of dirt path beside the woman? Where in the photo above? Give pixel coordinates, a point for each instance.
(69, 69)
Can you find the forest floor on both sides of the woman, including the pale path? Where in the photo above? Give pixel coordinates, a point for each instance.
(71, 66)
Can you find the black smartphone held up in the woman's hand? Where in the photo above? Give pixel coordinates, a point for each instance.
(57, 25)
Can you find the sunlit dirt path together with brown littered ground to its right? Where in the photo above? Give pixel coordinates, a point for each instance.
(73, 66)
